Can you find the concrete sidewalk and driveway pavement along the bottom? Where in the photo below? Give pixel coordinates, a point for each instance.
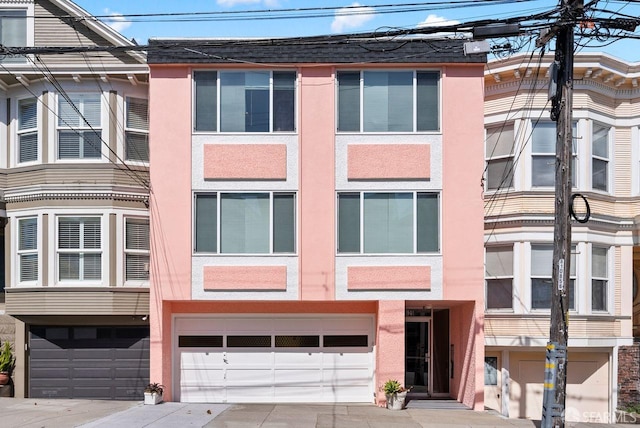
(36, 413)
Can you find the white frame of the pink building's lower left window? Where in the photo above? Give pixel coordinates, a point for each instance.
(271, 194)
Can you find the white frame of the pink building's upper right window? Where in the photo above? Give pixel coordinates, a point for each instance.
(414, 101)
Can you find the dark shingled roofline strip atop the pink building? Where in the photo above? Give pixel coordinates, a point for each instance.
(318, 50)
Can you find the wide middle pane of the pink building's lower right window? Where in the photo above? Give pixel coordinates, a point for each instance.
(388, 223)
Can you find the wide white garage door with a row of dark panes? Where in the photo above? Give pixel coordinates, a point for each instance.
(283, 359)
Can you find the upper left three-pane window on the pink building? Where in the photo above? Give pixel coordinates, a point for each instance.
(244, 101)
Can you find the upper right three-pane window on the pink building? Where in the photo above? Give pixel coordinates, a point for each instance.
(388, 101)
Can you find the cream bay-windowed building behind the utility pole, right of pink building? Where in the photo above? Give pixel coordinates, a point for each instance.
(519, 217)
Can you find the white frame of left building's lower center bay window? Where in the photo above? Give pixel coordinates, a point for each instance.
(80, 251)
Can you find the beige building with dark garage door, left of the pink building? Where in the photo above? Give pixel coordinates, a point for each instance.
(74, 194)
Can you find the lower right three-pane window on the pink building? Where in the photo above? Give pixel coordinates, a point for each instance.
(380, 222)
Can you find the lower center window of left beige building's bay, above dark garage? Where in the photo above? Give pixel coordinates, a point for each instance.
(79, 249)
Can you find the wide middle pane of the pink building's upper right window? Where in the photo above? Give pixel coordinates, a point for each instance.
(388, 101)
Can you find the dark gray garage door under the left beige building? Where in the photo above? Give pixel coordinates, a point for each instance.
(103, 362)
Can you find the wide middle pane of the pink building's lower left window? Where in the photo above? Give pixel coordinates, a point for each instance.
(244, 223)
